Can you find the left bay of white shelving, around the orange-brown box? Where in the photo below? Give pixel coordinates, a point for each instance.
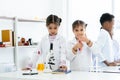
(6, 53)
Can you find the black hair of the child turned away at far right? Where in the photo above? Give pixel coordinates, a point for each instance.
(106, 17)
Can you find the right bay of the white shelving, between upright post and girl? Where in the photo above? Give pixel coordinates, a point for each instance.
(28, 29)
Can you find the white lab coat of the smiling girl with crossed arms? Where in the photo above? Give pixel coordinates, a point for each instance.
(82, 60)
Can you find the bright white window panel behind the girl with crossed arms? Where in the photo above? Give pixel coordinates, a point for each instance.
(90, 12)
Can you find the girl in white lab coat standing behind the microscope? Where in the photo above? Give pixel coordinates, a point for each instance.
(58, 60)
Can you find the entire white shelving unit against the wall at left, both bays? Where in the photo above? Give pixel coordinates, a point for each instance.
(26, 28)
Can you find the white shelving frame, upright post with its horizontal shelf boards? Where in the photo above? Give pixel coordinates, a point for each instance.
(15, 50)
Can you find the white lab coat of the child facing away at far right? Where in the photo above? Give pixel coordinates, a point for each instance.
(104, 47)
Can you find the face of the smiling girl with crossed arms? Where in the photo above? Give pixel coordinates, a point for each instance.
(79, 31)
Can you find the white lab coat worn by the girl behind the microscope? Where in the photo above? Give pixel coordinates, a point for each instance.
(59, 50)
